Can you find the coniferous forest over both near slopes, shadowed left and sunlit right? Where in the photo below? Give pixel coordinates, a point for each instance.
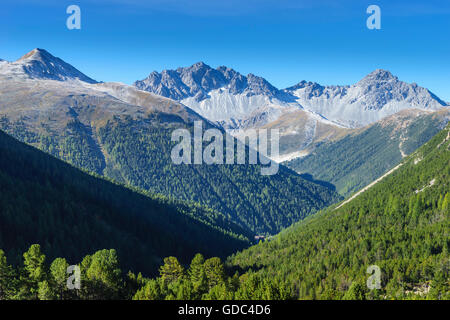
(400, 225)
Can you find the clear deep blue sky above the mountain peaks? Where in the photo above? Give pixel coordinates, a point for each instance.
(284, 41)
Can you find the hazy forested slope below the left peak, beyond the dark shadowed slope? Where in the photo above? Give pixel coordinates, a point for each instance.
(133, 146)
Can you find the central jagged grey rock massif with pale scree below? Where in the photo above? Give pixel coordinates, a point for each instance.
(220, 94)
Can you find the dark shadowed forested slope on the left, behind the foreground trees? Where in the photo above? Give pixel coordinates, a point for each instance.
(71, 213)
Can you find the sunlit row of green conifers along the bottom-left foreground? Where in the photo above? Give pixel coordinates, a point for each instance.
(101, 278)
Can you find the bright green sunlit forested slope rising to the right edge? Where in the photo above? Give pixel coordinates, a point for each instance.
(400, 224)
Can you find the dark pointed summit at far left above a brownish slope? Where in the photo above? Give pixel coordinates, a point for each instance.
(40, 64)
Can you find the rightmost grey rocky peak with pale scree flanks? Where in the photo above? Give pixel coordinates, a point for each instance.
(377, 95)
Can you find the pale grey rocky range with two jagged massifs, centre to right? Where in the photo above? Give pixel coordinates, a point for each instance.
(226, 96)
